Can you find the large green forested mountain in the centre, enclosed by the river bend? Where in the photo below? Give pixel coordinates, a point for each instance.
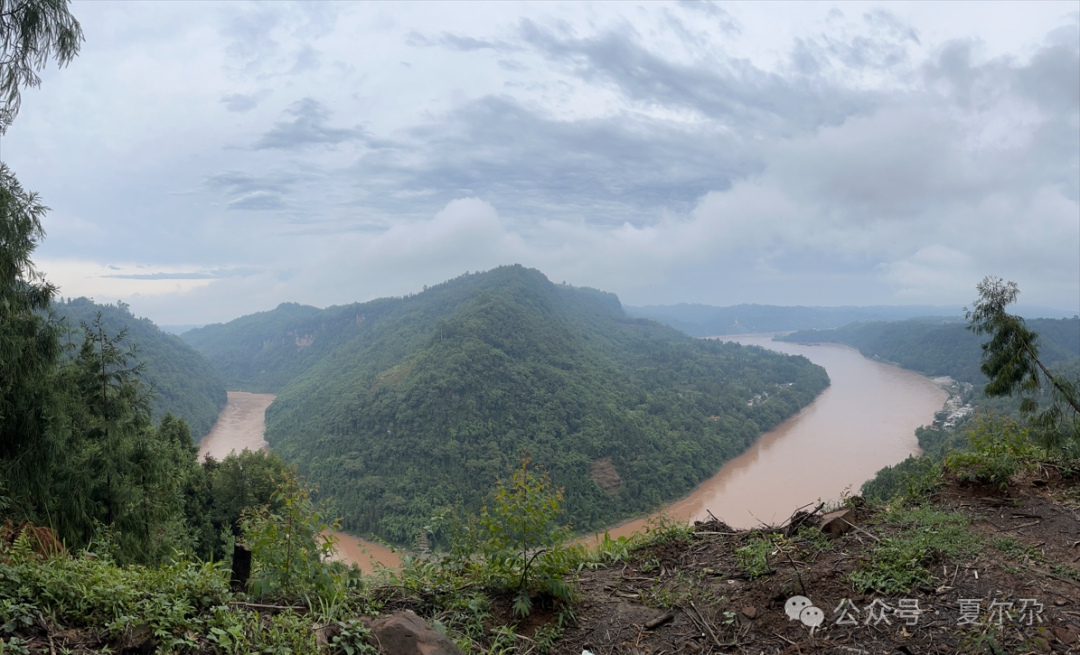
(401, 407)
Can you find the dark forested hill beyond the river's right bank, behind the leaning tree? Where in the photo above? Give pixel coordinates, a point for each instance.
(942, 347)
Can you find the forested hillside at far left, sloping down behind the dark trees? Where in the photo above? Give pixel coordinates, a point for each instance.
(184, 382)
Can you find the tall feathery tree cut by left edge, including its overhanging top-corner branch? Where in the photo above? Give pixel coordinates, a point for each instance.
(31, 33)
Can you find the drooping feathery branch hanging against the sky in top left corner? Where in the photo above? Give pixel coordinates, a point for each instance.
(31, 33)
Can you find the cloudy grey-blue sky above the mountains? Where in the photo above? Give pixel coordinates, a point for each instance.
(205, 162)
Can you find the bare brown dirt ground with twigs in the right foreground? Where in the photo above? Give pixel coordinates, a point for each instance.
(709, 605)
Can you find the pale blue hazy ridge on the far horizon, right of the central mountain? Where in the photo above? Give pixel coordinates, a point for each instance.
(706, 320)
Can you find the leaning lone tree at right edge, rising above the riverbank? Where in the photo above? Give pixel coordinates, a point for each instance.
(1011, 365)
